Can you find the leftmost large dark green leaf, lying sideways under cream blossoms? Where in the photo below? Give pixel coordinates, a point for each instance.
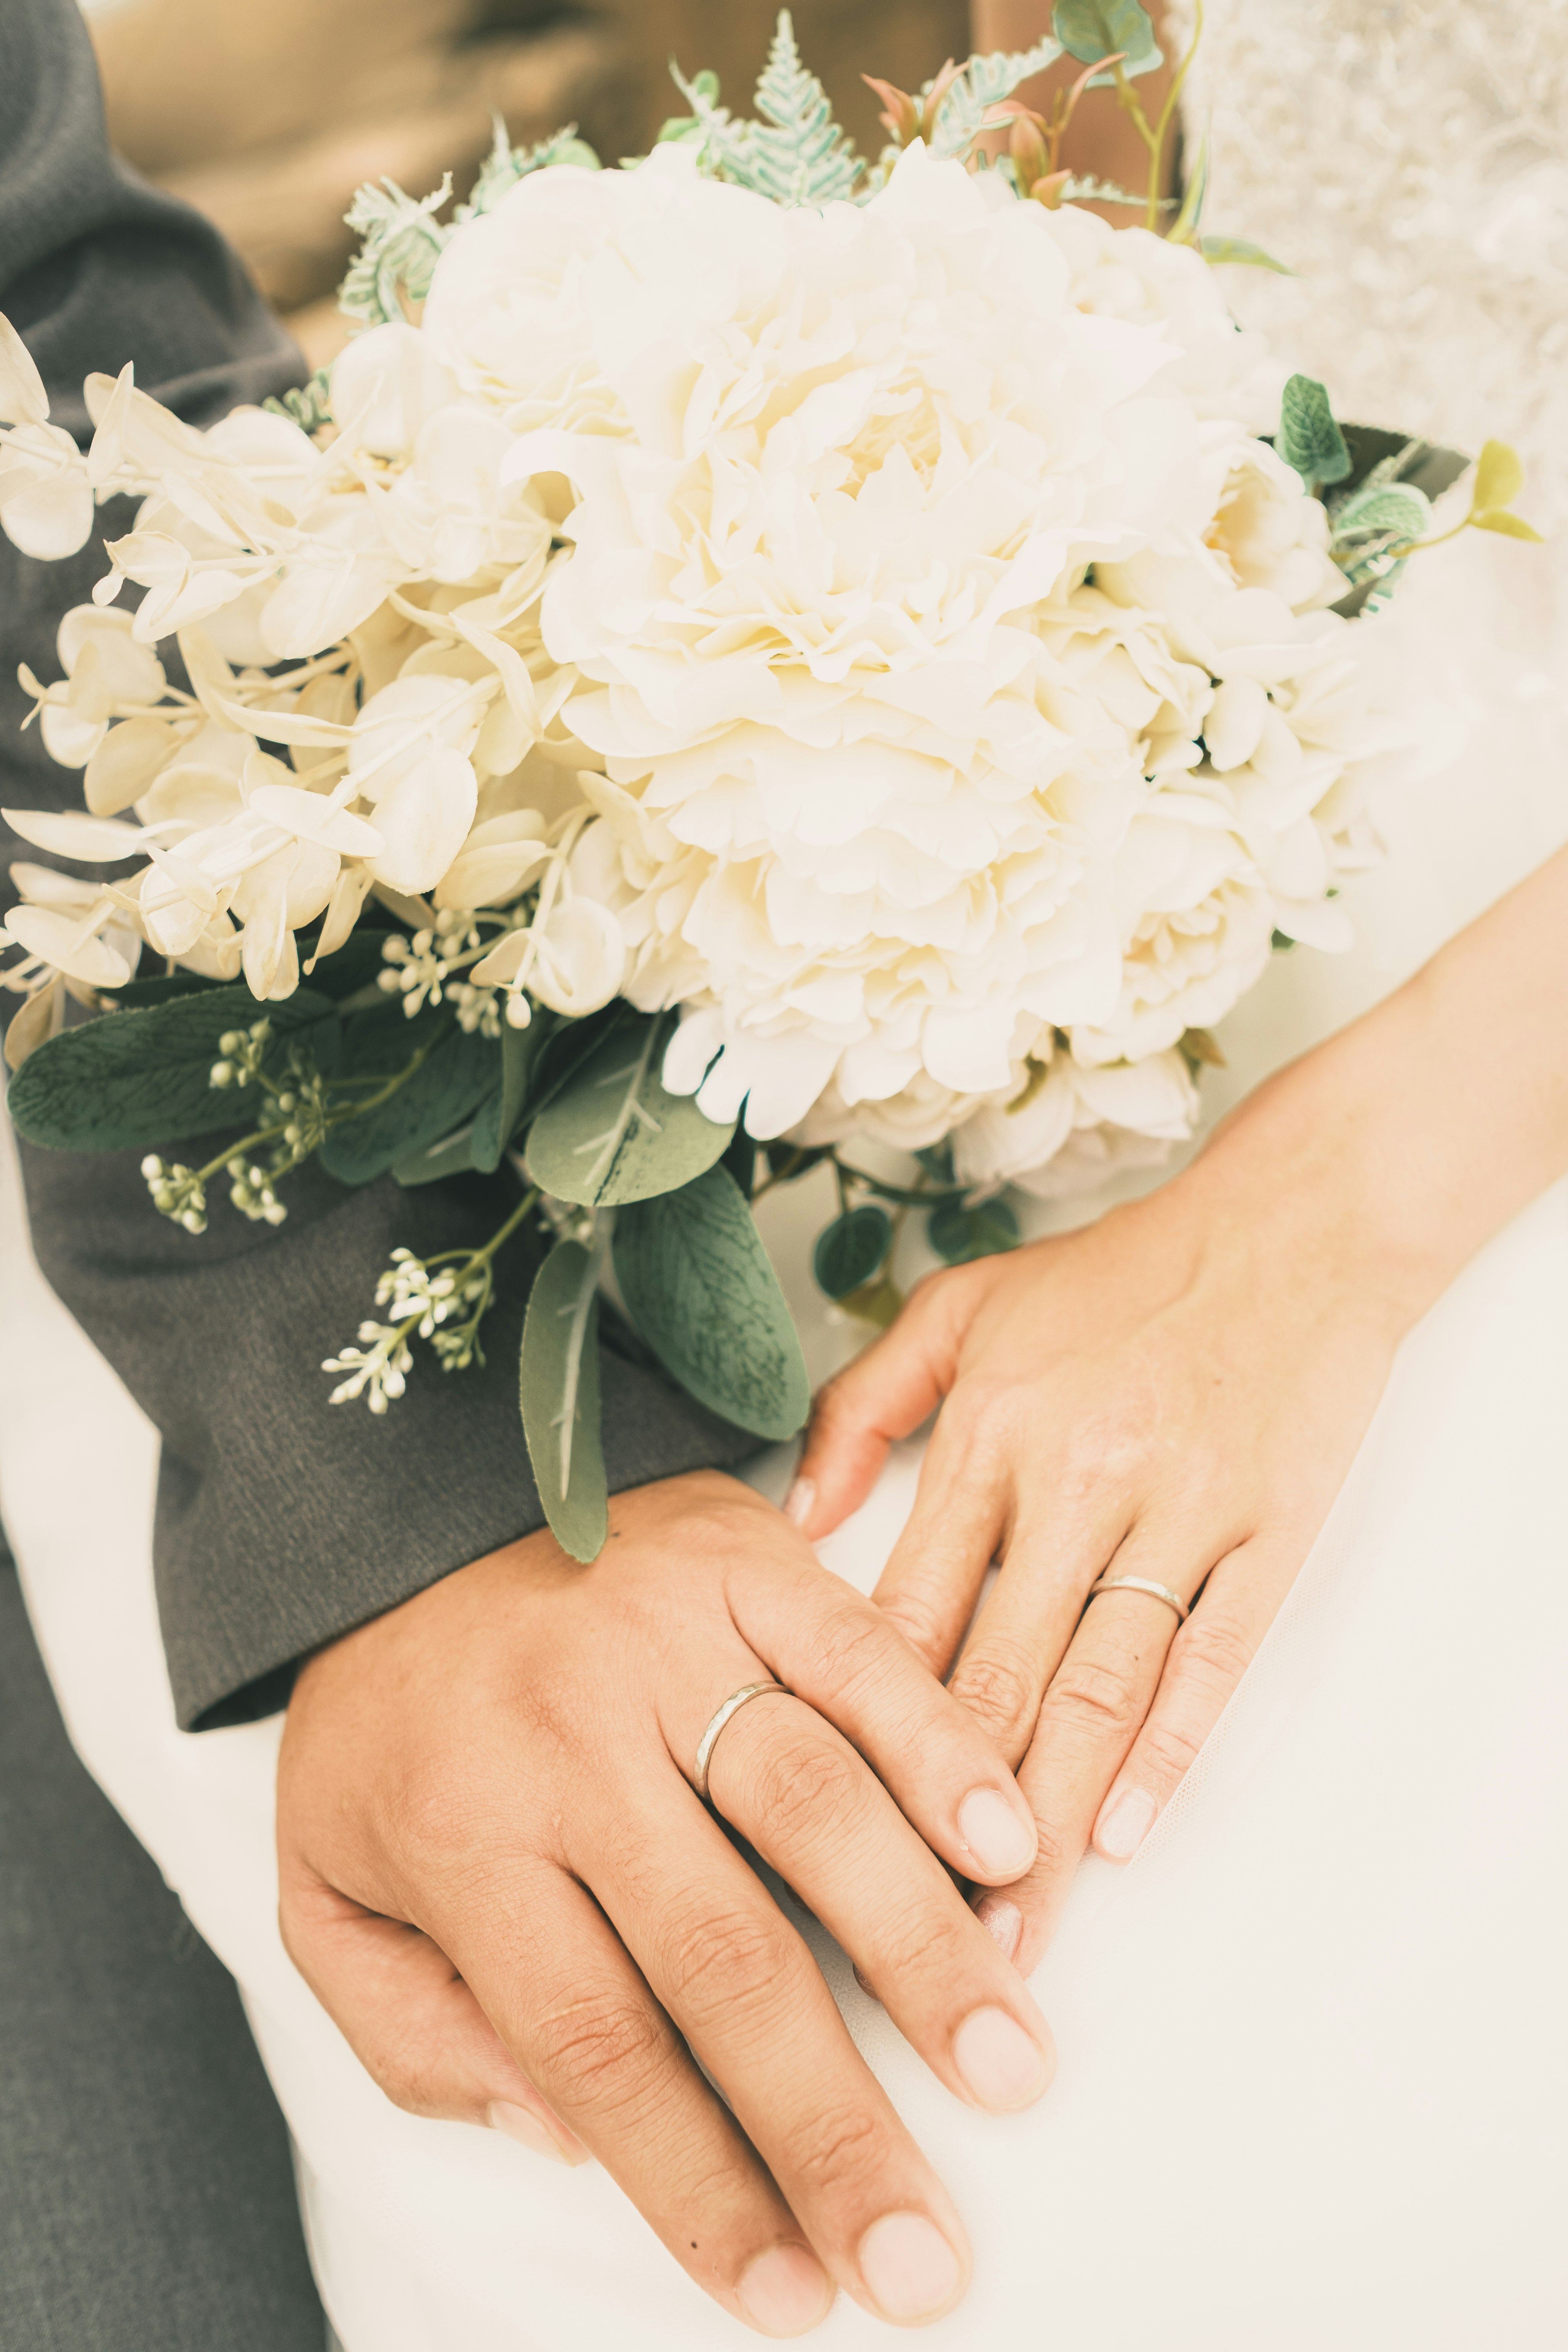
(142, 1076)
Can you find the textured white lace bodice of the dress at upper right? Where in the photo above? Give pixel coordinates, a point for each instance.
(1412, 161)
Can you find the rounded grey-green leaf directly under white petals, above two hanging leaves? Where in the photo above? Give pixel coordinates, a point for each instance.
(615, 1135)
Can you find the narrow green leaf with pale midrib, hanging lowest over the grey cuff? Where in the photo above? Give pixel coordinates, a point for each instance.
(558, 1387)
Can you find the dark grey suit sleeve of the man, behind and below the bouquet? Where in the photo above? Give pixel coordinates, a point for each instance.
(281, 1521)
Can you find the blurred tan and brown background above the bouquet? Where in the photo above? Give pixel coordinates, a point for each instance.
(269, 114)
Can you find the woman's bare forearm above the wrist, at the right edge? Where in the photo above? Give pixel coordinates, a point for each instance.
(1423, 1128)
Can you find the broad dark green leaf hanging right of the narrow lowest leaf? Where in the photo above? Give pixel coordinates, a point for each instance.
(699, 1288)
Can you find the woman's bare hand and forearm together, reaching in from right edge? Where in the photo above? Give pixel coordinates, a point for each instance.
(1177, 1394)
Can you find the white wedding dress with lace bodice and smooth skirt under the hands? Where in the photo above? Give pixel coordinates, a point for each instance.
(1313, 2043)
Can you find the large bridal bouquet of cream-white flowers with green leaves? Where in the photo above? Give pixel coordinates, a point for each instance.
(744, 655)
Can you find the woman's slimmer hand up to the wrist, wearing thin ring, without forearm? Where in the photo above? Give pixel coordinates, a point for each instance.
(1172, 1394)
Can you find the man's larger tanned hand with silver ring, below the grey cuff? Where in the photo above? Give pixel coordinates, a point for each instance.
(502, 1883)
